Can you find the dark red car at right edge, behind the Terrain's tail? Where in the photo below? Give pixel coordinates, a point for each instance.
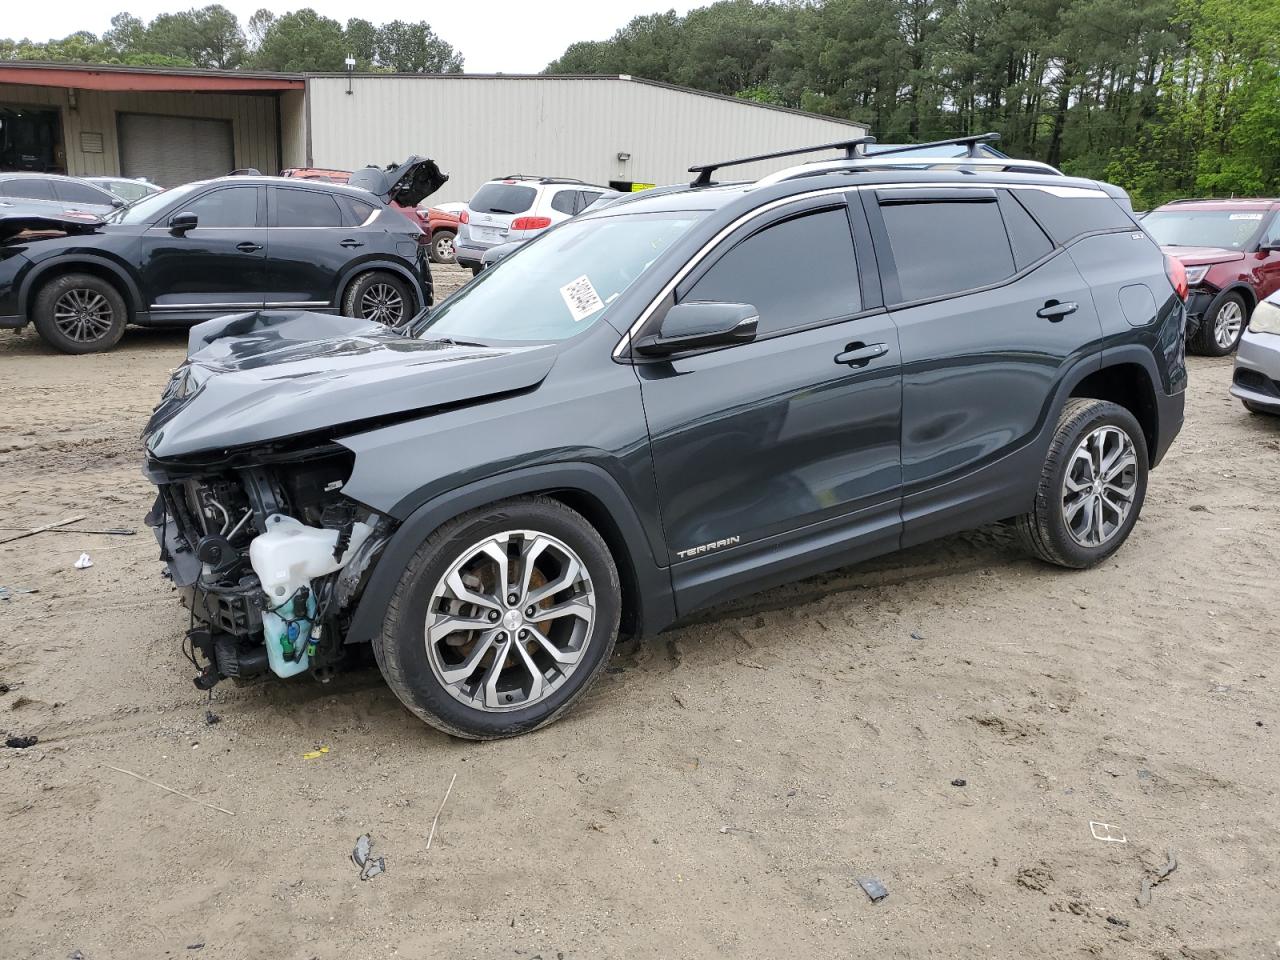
(1232, 254)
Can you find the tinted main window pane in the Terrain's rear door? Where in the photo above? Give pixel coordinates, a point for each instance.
(947, 248)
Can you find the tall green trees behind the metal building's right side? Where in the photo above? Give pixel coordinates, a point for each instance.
(1167, 98)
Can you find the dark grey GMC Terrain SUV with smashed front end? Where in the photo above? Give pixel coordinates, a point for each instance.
(660, 406)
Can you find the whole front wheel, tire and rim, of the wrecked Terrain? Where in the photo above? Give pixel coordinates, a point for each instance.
(502, 620)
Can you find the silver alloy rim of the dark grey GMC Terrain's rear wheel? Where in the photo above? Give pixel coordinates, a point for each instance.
(1100, 486)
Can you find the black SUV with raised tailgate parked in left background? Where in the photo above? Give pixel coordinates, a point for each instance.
(202, 250)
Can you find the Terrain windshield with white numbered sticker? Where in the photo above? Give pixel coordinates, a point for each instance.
(560, 285)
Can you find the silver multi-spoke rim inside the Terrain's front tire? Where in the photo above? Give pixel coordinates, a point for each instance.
(510, 620)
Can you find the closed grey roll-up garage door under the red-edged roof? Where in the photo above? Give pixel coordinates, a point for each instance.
(175, 150)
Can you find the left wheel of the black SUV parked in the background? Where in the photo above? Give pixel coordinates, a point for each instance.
(80, 314)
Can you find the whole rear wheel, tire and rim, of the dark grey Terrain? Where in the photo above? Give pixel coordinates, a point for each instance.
(1092, 487)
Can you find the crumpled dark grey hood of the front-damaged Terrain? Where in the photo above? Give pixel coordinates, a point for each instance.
(269, 376)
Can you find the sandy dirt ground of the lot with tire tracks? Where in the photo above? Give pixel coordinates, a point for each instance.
(721, 790)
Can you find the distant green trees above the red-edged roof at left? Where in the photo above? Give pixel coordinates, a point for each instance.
(213, 38)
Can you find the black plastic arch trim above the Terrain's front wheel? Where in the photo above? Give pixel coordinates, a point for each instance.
(651, 584)
